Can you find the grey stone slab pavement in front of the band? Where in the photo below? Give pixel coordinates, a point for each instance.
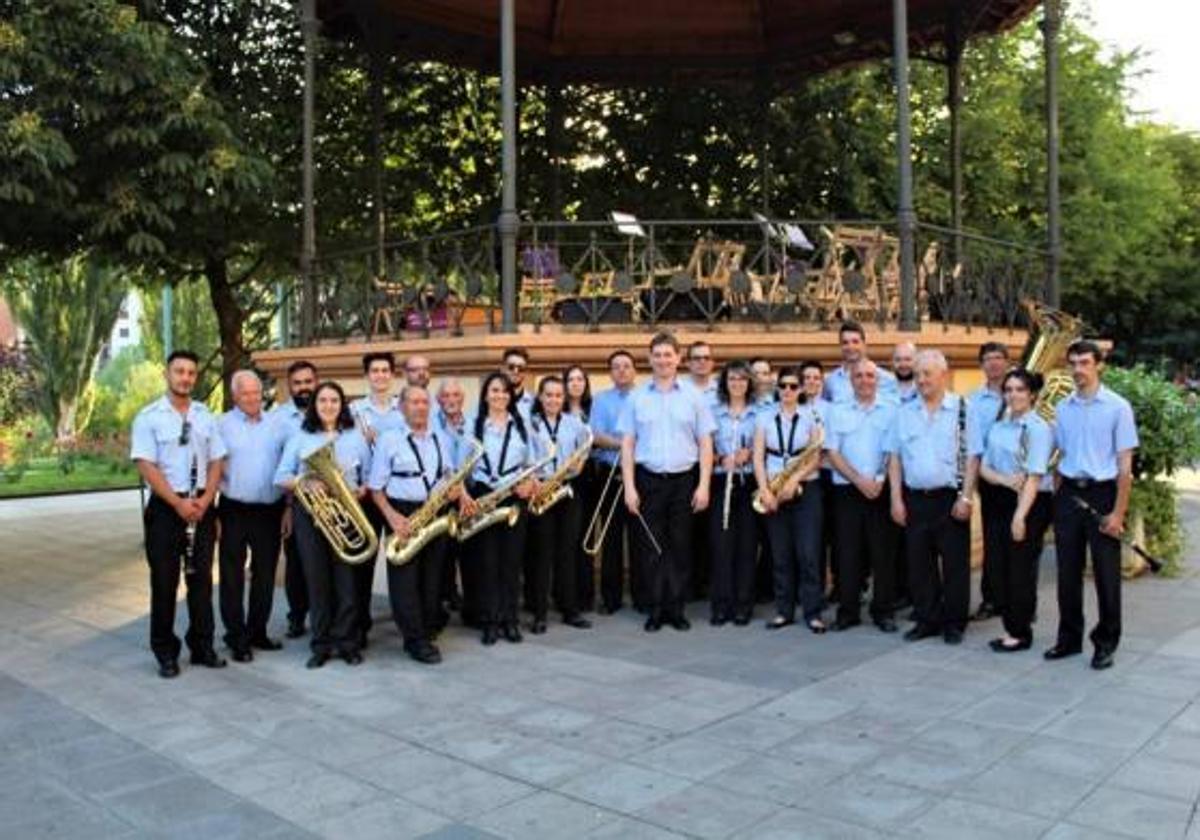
(602, 734)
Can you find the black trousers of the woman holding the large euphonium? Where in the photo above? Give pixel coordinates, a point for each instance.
(333, 603)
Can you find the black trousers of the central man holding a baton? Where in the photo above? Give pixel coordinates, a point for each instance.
(667, 508)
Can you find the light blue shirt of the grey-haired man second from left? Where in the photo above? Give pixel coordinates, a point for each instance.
(254, 451)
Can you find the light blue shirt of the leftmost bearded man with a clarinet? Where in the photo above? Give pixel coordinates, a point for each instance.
(158, 430)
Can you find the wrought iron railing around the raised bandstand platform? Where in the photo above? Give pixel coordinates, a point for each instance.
(592, 275)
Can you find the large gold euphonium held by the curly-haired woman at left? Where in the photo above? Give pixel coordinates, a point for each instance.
(334, 509)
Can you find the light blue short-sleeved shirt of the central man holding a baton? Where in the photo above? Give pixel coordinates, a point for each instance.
(667, 427)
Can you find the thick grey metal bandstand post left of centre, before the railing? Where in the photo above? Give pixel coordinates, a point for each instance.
(509, 221)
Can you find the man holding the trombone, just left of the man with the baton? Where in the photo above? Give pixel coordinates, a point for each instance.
(607, 411)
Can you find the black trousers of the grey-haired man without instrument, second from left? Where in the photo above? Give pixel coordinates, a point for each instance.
(253, 529)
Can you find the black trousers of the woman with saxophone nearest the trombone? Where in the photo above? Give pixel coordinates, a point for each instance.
(555, 565)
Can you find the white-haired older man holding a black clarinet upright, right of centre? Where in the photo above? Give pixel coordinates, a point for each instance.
(932, 484)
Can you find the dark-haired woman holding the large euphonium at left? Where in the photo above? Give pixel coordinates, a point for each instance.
(332, 584)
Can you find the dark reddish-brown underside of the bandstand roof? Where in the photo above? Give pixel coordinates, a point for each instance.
(647, 41)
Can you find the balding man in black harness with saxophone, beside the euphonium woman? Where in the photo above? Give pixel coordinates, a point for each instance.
(405, 467)
